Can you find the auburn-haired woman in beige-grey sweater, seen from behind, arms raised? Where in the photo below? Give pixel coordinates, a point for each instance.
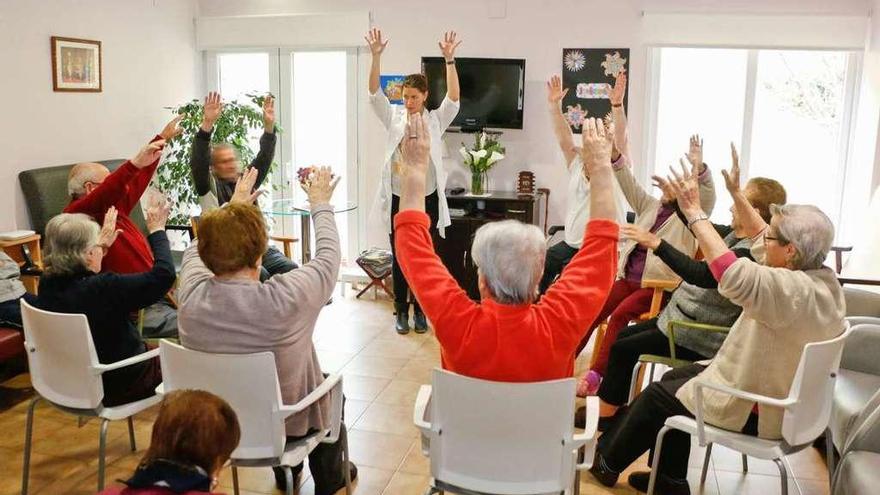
(224, 308)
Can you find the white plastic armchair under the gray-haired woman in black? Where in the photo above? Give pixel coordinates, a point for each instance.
(65, 372)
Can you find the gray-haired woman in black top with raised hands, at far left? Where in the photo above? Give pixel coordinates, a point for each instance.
(73, 283)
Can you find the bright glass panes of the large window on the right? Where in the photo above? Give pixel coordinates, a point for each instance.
(786, 110)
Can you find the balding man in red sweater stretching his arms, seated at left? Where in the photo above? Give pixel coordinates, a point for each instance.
(93, 190)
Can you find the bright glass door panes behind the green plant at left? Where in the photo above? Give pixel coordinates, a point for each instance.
(316, 105)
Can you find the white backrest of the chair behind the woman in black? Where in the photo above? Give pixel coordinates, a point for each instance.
(62, 357)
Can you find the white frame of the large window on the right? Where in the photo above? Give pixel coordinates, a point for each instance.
(844, 164)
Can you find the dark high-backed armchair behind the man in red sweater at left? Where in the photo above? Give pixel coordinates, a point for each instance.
(45, 193)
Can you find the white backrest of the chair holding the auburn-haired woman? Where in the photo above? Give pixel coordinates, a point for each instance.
(248, 382)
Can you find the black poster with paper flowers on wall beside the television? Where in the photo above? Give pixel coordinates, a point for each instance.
(589, 73)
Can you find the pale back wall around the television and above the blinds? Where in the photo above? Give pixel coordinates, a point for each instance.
(534, 30)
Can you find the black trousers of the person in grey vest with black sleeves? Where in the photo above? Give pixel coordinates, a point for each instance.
(632, 342)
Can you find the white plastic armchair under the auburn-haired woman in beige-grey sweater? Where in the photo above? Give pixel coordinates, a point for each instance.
(249, 383)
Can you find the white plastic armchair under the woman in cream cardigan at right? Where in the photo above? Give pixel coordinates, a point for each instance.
(807, 412)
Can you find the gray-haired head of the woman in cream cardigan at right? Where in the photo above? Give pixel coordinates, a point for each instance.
(808, 229)
